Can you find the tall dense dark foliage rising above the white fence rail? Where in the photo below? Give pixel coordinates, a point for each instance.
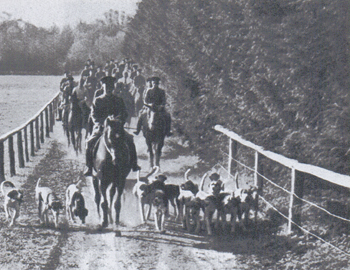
(275, 72)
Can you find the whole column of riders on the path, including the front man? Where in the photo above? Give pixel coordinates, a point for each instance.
(115, 90)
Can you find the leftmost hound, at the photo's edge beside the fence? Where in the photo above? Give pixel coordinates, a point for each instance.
(12, 202)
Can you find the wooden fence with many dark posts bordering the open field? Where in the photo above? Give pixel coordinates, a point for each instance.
(40, 126)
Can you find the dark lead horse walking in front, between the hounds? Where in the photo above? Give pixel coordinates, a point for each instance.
(112, 166)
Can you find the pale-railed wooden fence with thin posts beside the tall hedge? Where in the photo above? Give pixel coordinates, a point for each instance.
(298, 171)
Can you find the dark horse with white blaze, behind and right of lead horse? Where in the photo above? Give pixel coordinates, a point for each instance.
(153, 129)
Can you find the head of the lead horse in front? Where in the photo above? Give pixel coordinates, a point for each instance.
(114, 135)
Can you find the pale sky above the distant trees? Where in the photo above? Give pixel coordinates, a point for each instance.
(47, 13)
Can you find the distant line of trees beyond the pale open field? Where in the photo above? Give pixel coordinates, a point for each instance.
(27, 49)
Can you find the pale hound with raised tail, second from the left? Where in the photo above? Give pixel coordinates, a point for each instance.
(47, 200)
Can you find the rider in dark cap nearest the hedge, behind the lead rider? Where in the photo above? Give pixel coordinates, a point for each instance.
(155, 101)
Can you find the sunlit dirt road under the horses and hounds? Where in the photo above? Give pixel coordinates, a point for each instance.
(29, 245)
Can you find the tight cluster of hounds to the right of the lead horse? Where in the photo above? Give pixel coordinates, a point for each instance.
(191, 202)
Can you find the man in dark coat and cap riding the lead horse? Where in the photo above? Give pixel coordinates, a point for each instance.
(103, 106)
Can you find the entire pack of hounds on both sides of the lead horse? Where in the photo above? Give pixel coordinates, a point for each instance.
(193, 205)
